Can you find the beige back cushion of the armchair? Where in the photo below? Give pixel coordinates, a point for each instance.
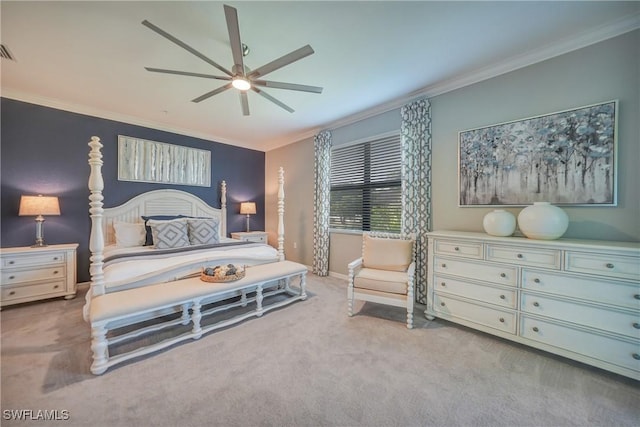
(386, 253)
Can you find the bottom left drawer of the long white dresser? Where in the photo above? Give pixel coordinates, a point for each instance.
(493, 318)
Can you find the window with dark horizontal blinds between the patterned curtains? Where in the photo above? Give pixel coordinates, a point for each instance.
(366, 186)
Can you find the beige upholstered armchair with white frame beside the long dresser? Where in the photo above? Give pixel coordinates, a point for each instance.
(385, 272)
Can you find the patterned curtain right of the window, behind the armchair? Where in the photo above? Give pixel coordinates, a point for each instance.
(415, 132)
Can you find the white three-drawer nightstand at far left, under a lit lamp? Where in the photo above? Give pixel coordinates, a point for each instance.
(31, 274)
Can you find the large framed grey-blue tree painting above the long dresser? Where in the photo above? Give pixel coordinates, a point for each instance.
(566, 158)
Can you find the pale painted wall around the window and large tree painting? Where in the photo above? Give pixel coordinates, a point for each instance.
(605, 71)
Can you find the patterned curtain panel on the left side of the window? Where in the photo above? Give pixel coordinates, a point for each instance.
(322, 188)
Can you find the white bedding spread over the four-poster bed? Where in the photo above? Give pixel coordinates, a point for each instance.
(124, 273)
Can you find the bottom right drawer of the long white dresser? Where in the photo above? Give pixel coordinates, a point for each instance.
(618, 352)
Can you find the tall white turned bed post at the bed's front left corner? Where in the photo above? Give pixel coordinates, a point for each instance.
(96, 239)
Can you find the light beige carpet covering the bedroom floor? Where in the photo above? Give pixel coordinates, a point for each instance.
(307, 364)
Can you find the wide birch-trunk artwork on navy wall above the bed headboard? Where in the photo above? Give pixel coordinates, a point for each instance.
(142, 160)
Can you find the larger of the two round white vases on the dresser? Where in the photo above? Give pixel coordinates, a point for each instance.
(543, 221)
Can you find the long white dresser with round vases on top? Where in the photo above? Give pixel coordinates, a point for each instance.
(576, 298)
